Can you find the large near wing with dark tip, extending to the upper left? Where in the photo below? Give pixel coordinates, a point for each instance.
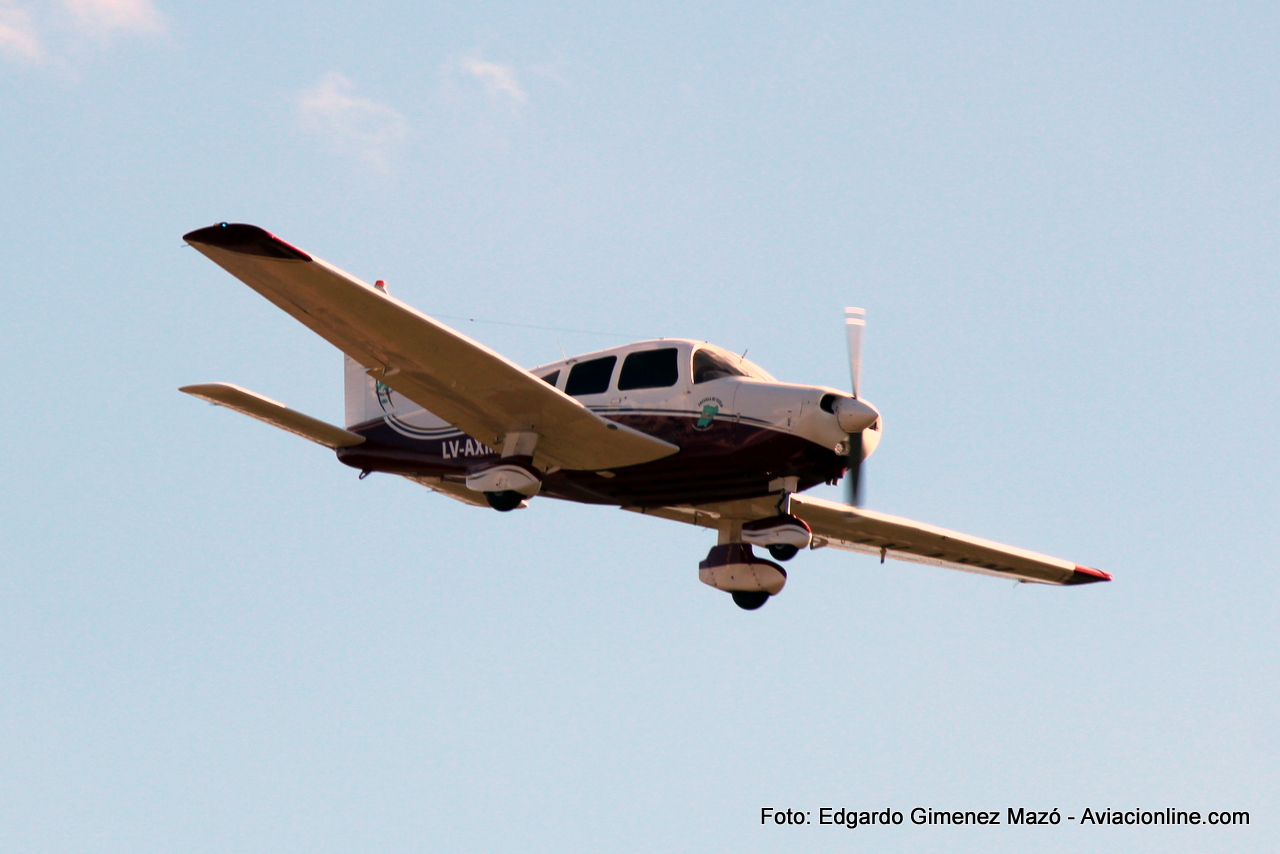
(463, 382)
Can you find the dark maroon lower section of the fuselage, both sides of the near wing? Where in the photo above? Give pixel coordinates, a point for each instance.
(725, 462)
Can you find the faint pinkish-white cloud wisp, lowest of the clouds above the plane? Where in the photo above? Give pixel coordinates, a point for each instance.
(351, 124)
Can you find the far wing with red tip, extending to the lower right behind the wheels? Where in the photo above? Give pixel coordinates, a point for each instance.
(866, 531)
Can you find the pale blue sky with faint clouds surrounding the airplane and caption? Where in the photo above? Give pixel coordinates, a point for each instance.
(1060, 218)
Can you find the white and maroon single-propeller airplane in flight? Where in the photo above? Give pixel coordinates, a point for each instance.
(671, 428)
